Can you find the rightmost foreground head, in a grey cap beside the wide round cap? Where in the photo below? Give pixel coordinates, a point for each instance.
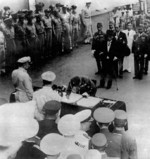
(120, 120)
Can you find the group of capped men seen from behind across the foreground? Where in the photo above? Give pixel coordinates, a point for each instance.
(78, 134)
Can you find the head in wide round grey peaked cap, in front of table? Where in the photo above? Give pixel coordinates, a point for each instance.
(104, 117)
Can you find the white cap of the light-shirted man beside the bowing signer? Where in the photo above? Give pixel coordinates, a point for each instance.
(48, 76)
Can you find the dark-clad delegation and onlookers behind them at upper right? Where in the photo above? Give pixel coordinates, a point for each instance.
(125, 37)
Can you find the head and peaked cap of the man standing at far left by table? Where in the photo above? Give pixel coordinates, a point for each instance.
(24, 62)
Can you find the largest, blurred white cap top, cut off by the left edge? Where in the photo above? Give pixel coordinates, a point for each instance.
(15, 130)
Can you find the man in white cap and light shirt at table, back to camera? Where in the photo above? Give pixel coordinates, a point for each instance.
(45, 94)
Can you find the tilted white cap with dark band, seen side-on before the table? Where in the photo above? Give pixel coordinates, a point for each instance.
(82, 116)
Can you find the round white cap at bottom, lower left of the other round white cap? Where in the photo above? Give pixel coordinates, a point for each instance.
(52, 144)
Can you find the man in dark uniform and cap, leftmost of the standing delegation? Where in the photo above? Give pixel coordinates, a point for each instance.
(98, 39)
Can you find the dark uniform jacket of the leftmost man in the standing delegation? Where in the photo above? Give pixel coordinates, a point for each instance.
(98, 40)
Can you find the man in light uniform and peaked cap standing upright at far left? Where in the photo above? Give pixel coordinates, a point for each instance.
(22, 81)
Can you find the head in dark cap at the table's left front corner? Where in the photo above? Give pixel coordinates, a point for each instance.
(51, 109)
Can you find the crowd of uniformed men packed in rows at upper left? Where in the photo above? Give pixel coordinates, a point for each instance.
(36, 35)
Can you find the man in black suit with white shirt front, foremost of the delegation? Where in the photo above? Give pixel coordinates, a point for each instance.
(108, 57)
